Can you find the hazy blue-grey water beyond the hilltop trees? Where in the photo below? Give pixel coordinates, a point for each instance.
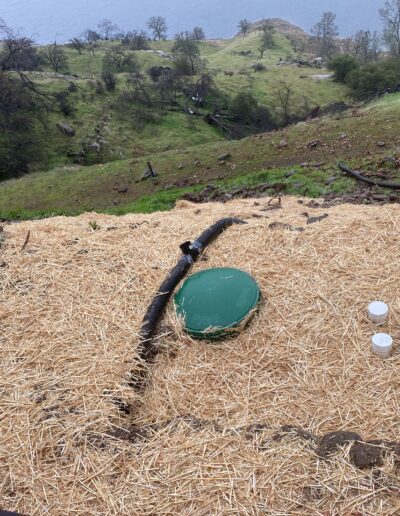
(62, 19)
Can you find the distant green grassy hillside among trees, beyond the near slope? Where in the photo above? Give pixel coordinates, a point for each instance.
(231, 71)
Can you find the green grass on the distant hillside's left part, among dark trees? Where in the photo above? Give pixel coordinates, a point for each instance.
(128, 138)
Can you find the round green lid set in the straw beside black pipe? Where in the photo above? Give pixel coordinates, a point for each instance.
(216, 301)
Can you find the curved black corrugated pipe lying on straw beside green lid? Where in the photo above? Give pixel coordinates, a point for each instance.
(147, 349)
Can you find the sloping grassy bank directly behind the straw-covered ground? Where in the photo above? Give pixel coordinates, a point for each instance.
(367, 135)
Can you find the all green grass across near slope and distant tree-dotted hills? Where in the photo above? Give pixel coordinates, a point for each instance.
(185, 150)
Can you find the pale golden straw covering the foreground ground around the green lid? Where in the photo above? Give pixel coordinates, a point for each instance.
(235, 427)
